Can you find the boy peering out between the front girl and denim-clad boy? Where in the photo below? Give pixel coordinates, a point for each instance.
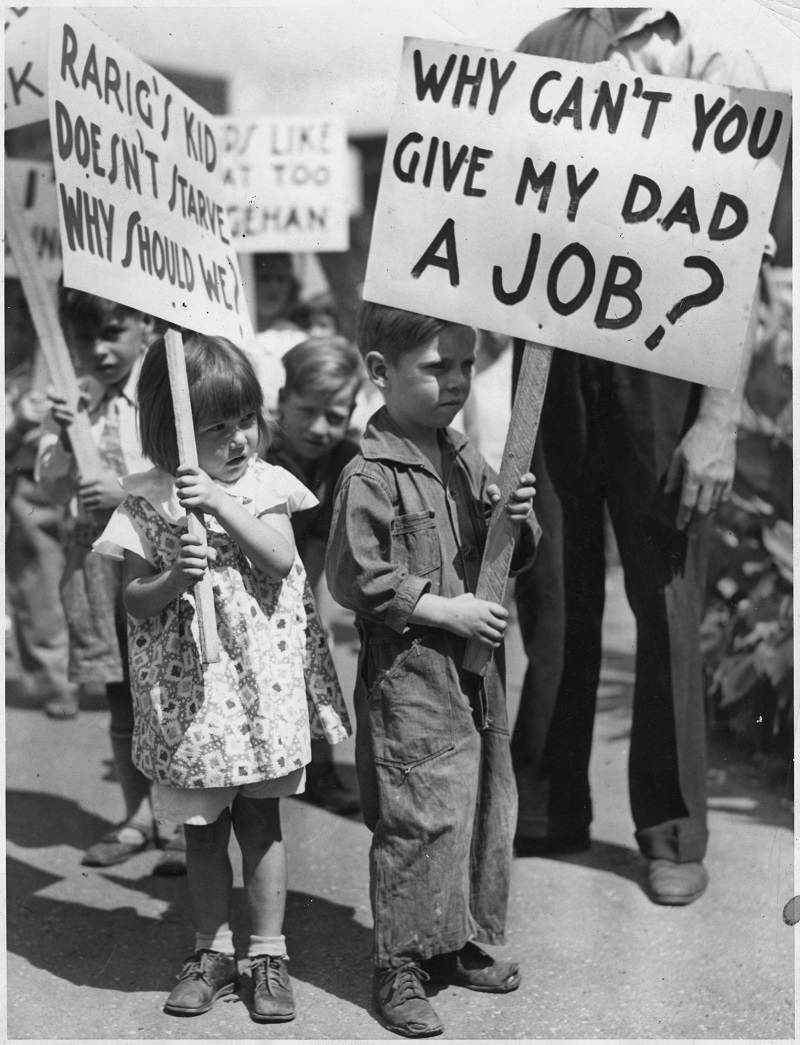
(316, 404)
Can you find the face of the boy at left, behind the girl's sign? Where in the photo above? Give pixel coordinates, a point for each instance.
(109, 350)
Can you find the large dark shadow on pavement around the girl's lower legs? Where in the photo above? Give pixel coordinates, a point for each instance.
(122, 949)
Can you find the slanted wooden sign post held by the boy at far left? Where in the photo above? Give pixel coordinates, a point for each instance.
(53, 343)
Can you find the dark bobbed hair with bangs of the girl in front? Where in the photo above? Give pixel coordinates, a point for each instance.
(223, 385)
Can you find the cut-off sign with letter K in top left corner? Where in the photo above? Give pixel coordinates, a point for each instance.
(26, 66)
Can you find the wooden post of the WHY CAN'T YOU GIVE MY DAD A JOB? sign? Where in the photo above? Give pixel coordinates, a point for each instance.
(516, 459)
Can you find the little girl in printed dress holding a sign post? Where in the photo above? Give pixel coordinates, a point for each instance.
(222, 742)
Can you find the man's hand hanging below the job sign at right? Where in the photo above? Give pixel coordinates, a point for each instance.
(702, 468)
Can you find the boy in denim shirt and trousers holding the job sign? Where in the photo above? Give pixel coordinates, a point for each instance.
(433, 757)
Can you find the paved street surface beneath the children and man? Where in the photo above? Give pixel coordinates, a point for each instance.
(92, 955)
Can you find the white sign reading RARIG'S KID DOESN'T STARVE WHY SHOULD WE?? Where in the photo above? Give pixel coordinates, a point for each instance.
(142, 199)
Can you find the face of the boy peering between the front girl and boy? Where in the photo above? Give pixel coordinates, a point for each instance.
(315, 424)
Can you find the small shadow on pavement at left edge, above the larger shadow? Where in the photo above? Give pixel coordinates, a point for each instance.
(36, 821)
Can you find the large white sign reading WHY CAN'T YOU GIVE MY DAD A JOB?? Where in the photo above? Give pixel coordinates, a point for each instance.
(578, 206)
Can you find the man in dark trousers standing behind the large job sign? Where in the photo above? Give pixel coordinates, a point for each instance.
(661, 454)
